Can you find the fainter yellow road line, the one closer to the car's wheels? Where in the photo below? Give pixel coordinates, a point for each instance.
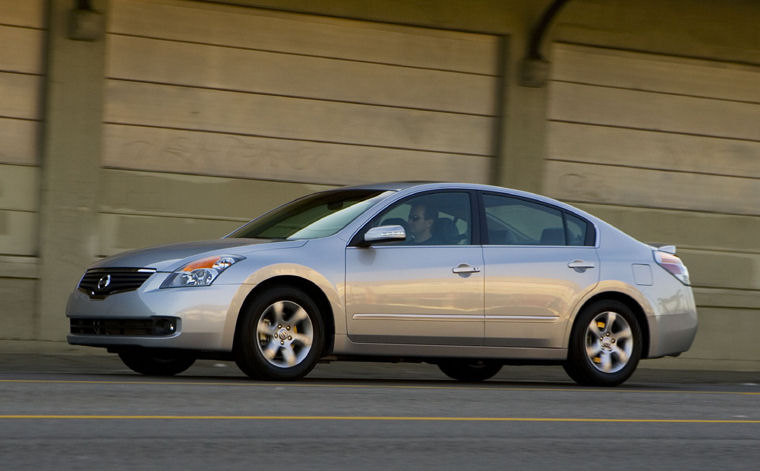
(306, 384)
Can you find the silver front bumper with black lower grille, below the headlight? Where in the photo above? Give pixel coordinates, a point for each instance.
(203, 317)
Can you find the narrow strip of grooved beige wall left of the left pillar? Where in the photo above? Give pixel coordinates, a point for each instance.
(22, 68)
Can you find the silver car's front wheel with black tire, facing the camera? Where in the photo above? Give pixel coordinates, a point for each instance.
(271, 338)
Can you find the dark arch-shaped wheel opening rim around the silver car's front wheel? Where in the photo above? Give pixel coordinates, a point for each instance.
(308, 287)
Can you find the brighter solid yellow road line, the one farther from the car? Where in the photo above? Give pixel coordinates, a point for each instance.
(374, 418)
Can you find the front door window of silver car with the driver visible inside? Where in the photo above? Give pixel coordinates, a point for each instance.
(442, 218)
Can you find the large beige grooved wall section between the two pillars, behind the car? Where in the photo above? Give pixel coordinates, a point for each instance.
(275, 105)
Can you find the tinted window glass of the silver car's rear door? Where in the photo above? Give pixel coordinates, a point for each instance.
(517, 221)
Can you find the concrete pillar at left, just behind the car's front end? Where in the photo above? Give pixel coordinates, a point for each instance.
(71, 145)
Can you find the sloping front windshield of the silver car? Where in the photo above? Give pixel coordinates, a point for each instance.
(313, 216)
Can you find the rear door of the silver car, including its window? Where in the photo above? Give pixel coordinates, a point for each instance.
(539, 261)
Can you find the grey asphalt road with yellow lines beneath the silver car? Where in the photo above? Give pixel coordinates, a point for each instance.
(87, 412)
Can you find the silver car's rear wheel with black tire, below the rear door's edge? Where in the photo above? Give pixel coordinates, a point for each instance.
(605, 345)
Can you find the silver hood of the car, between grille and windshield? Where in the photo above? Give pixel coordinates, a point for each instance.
(170, 257)
